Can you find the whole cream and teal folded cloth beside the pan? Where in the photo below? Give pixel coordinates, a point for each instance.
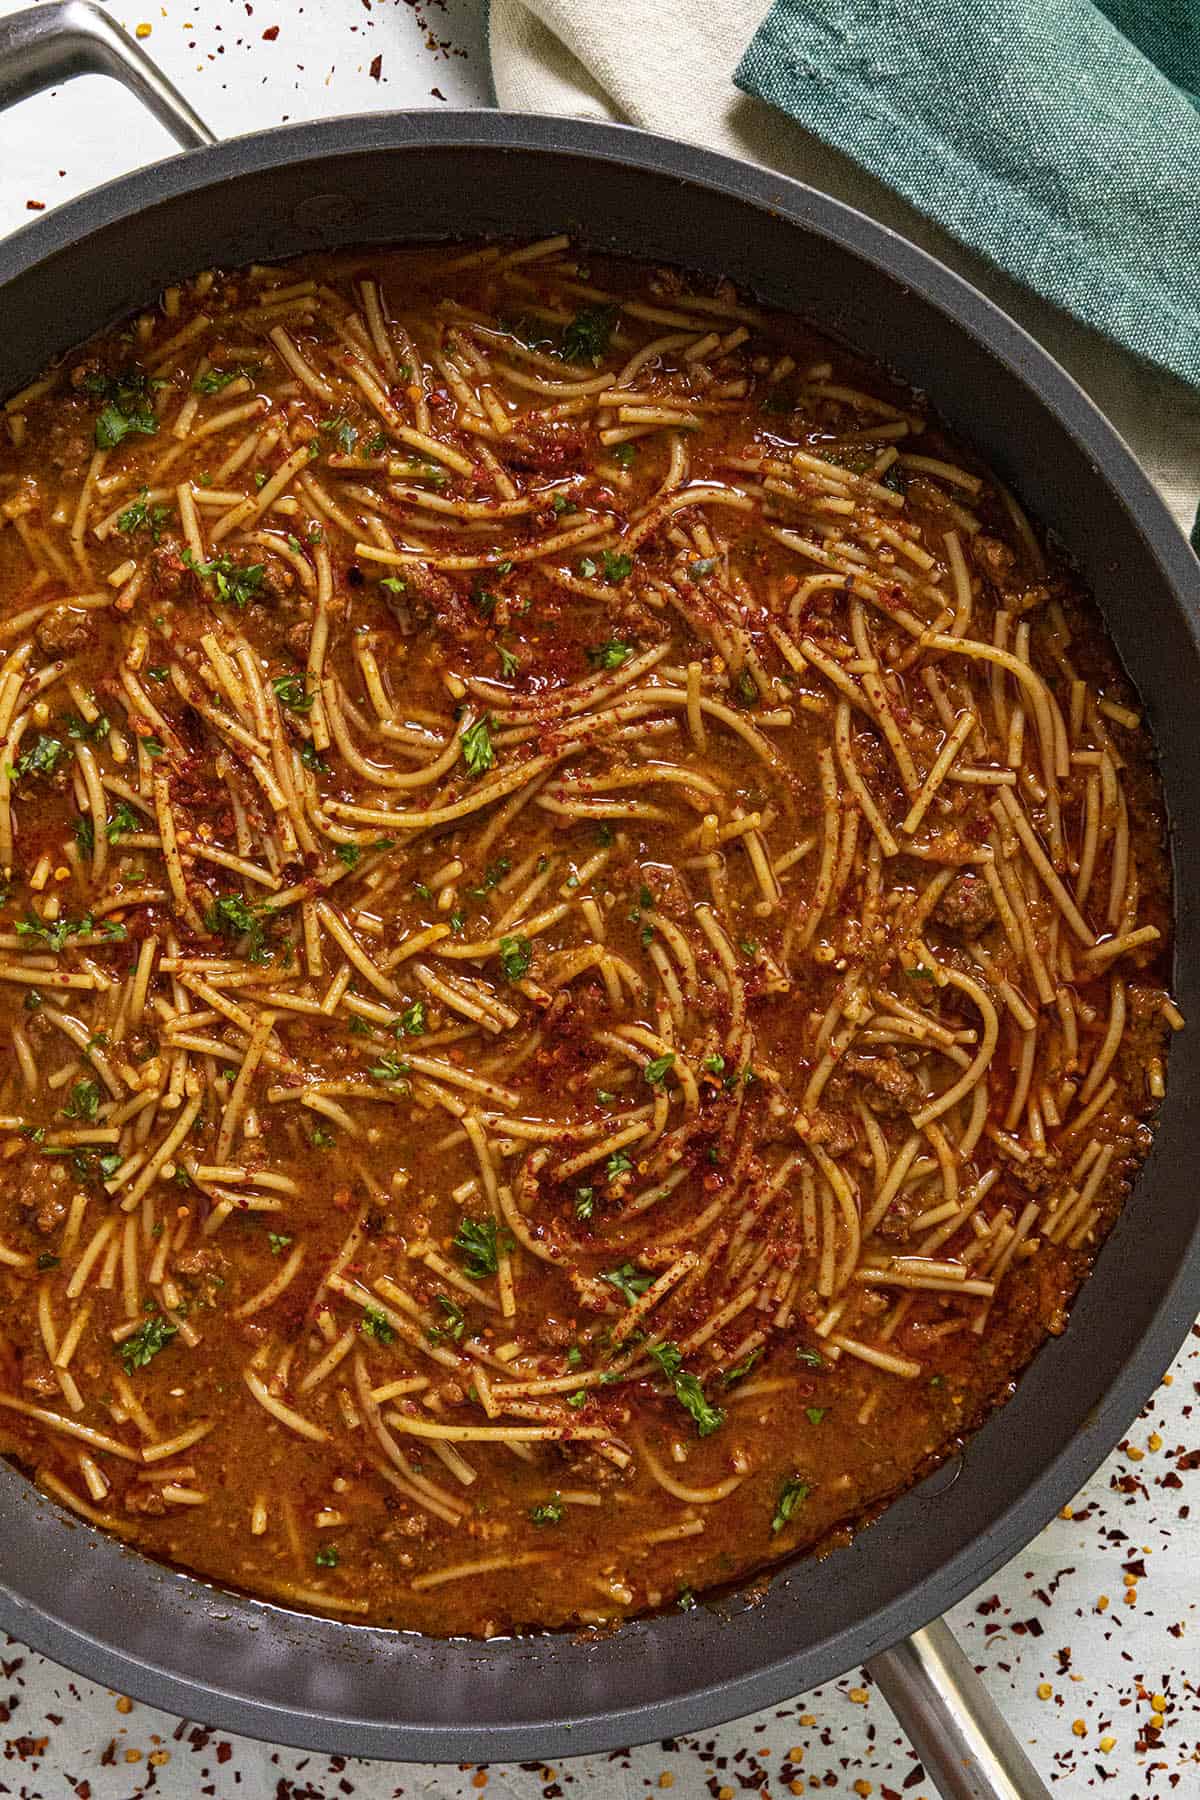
(1046, 148)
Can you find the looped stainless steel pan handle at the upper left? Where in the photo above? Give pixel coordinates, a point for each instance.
(51, 44)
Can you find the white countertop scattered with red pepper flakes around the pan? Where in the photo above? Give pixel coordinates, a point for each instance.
(1088, 1641)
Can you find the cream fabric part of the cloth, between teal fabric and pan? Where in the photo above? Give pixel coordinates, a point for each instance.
(668, 66)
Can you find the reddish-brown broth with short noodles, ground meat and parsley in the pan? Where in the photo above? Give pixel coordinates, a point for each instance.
(582, 944)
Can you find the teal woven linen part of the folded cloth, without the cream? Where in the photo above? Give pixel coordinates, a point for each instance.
(1059, 139)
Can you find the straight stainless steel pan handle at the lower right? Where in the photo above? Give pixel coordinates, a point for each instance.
(953, 1722)
